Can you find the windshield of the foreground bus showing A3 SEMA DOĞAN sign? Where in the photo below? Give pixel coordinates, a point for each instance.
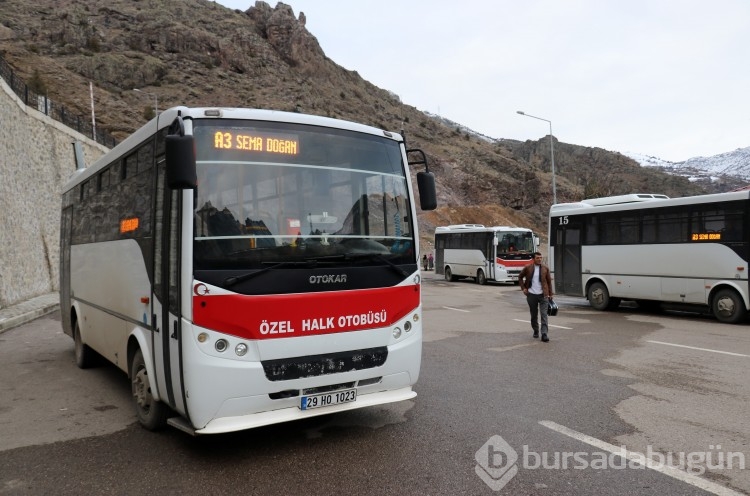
(277, 192)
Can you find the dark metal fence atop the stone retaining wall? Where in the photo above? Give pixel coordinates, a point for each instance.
(58, 112)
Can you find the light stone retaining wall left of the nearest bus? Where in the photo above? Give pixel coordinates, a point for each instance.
(36, 159)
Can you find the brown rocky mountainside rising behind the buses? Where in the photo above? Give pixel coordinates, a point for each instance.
(199, 53)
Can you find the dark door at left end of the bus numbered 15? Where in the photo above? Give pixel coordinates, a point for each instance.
(567, 255)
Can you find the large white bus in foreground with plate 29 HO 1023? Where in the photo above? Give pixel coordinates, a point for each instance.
(247, 267)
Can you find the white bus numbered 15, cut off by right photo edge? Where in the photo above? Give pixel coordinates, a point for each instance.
(653, 249)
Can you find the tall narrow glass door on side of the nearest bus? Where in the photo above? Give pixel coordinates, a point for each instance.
(166, 320)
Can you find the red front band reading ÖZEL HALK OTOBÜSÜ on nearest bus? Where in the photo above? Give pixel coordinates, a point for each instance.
(282, 316)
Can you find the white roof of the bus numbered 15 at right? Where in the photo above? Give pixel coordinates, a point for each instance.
(640, 201)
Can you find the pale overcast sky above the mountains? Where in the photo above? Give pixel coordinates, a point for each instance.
(668, 78)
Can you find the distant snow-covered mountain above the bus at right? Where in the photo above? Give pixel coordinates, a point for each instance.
(723, 172)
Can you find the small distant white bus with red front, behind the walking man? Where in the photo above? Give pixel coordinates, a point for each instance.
(485, 253)
